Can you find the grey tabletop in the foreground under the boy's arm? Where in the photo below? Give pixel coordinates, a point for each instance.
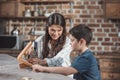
(9, 70)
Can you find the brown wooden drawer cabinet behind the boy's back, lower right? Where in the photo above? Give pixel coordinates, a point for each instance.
(110, 68)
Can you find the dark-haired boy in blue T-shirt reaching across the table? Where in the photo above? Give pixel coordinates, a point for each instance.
(84, 66)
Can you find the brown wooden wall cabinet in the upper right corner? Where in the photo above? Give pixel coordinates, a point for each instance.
(112, 9)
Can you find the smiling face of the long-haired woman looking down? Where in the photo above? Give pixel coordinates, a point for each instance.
(55, 31)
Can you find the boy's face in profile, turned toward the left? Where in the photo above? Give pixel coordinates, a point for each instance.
(74, 43)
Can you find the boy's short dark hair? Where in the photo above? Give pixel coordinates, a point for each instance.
(82, 31)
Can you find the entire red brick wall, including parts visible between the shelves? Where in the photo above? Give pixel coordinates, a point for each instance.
(89, 12)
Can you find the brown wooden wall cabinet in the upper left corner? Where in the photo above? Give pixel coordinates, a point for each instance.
(10, 9)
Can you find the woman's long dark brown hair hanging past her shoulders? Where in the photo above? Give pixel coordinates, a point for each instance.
(54, 19)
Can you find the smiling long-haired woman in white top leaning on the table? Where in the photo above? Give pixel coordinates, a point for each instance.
(53, 48)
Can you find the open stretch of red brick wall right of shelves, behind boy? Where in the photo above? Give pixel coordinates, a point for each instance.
(105, 32)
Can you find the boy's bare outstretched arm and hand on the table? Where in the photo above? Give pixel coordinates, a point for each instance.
(58, 70)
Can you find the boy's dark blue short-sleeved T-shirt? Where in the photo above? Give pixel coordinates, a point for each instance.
(86, 65)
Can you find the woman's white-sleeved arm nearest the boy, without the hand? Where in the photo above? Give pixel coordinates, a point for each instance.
(63, 57)
